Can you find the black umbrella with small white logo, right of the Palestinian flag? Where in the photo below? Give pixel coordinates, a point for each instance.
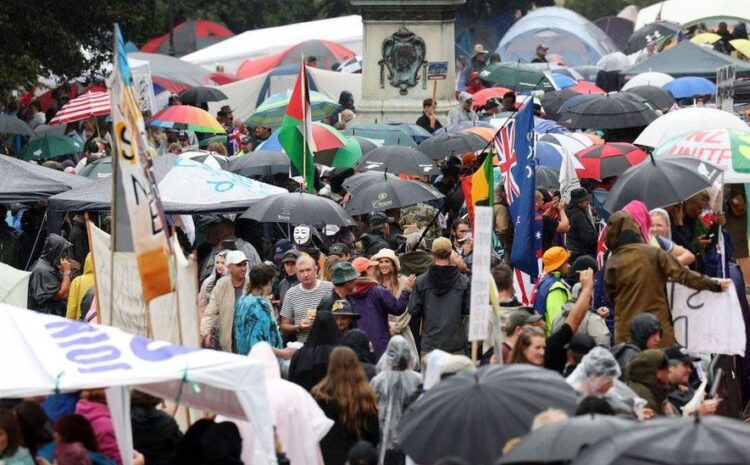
(389, 193)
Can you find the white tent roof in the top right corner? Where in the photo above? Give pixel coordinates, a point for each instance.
(689, 12)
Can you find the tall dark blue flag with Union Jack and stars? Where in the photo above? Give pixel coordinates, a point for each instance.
(517, 165)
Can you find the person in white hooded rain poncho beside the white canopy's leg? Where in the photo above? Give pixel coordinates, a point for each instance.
(299, 422)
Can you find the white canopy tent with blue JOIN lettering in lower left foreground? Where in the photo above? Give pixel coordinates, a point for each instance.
(53, 354)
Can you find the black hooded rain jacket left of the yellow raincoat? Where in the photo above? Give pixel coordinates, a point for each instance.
(45, 278)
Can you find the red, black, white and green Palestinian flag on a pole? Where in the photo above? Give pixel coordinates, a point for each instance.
(295, 134)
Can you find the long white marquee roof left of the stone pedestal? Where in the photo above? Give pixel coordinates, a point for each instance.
(346, 31)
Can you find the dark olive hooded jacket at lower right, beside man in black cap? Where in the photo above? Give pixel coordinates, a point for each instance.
(641, 378)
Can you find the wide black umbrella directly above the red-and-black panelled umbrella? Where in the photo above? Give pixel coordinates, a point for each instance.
(612, 111)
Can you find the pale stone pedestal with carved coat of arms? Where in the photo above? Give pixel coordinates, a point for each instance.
(389, 25)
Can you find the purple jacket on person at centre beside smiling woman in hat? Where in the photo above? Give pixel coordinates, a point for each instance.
(374, 302)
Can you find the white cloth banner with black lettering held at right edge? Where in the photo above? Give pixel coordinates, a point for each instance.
(707, 321)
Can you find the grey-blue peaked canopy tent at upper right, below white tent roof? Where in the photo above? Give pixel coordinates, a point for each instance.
(689, 59)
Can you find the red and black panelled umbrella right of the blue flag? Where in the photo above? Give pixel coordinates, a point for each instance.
(607, 160)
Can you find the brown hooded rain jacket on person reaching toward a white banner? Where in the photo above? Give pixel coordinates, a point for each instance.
(636, 276)
